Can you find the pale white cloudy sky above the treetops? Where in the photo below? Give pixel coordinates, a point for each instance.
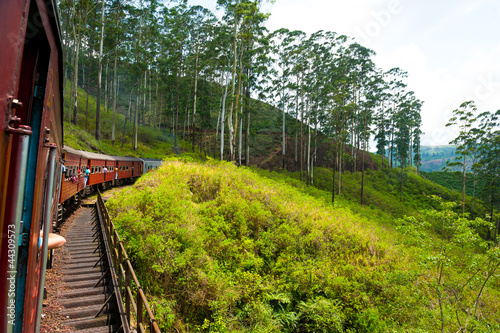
(450, 48)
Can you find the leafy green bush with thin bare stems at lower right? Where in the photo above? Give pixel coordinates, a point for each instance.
(463, 264)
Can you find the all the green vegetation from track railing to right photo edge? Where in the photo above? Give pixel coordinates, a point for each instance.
(227, 249)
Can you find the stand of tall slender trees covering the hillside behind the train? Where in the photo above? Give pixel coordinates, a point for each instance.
(180, 68)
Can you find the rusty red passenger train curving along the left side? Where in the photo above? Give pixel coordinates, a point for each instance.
(37, 174)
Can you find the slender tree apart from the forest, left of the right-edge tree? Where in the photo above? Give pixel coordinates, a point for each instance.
(465, 118)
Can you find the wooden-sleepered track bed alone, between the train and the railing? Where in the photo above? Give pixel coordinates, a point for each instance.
(86, 288)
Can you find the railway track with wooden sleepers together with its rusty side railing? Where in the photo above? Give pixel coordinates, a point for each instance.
(92, 272)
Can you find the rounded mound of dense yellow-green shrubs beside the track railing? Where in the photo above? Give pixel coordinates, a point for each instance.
(223, 249)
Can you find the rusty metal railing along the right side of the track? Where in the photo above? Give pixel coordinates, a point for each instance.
(125, 273)
